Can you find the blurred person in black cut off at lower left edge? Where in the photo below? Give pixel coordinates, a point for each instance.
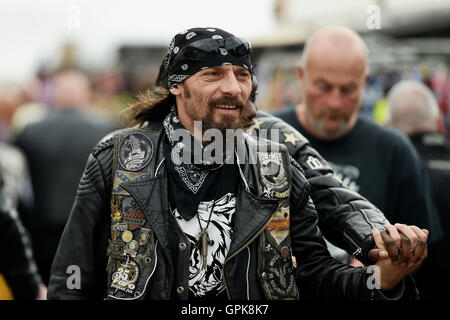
(19, 278)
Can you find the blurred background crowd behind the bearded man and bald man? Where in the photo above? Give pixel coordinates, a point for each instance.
(49, 124)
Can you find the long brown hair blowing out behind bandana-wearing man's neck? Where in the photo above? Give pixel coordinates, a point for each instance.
(152, 105)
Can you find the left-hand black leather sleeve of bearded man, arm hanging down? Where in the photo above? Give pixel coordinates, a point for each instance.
(78, 270)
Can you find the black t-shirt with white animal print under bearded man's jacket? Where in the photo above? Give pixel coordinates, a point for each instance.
(219, 194)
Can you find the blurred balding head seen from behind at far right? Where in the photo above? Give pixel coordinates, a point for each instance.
(412, 108)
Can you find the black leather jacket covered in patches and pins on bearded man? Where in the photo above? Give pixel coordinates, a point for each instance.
(268, 229)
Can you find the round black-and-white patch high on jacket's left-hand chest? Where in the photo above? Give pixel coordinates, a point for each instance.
(135, 152)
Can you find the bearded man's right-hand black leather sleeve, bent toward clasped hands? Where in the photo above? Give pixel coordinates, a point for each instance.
(319, 276)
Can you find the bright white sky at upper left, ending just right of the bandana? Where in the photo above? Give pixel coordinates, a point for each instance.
(33, 31)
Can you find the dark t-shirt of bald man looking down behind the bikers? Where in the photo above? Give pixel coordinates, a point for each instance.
(381, 164)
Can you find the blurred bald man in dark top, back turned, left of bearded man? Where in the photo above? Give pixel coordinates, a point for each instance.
(56, 148)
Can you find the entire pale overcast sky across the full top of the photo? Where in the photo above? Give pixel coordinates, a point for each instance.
(33, 31)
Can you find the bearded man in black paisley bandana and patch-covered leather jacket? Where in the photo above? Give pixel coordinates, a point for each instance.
(169, 218)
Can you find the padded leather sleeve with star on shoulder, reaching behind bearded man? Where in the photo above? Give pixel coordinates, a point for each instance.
(345, 217)
